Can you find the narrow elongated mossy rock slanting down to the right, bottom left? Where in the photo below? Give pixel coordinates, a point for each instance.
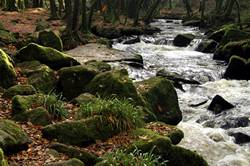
(86, 157)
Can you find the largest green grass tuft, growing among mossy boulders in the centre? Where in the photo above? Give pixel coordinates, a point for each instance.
(121, 114)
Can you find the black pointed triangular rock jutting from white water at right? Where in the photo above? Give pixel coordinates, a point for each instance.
(219, 104)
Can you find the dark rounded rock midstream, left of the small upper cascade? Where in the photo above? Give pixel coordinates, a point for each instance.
(183, 40)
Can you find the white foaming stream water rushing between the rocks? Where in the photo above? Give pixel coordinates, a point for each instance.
(206, 133)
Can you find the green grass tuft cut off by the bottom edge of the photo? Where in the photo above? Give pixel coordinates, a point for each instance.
(136, 158)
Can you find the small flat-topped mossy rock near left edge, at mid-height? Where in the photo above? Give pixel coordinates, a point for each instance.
(19, 90)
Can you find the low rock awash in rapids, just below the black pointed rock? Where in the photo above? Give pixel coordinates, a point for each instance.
(235, 122)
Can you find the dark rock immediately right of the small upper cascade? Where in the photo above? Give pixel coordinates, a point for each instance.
(207, 46)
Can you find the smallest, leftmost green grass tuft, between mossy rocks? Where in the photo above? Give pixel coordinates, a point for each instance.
(55, 106)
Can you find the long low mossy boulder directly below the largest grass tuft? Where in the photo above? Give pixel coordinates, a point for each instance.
(80, 132)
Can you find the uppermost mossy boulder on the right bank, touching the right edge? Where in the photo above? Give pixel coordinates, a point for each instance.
(228, 34)
